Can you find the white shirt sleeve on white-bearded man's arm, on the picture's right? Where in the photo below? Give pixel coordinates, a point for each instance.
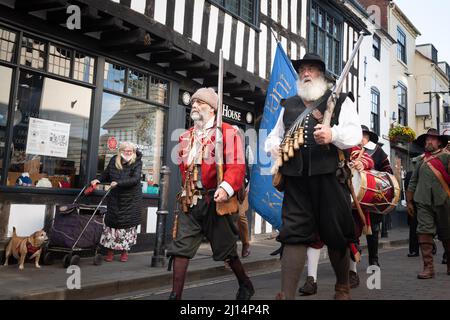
(348, 133)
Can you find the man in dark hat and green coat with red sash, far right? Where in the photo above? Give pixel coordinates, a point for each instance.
(429, 190)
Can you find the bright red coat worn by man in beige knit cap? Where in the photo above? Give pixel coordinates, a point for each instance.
(233, 155)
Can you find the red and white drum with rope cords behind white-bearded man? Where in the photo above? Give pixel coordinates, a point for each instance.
(376, 191)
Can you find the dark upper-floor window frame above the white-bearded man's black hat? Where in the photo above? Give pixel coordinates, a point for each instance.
(338, 20)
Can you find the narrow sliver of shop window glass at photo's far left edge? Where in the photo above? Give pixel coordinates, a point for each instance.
(5, 89)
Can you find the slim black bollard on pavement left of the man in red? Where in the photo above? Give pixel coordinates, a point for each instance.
(158, 258)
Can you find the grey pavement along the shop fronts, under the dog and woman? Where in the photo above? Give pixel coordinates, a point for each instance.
(52, 282)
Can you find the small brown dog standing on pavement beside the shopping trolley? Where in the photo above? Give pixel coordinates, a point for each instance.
(19, 247)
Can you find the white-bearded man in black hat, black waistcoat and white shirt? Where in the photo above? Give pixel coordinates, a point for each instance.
(316, 203)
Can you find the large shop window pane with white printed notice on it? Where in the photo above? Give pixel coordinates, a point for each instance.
(50, 133)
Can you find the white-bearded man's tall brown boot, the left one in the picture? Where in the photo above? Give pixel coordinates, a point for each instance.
(292, 263)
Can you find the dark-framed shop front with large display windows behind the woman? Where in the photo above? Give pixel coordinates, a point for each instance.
(64, 110)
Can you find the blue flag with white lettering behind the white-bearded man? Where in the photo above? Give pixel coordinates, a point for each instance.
(263, 197)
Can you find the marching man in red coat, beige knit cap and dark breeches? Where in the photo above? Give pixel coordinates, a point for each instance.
(200, 194)
